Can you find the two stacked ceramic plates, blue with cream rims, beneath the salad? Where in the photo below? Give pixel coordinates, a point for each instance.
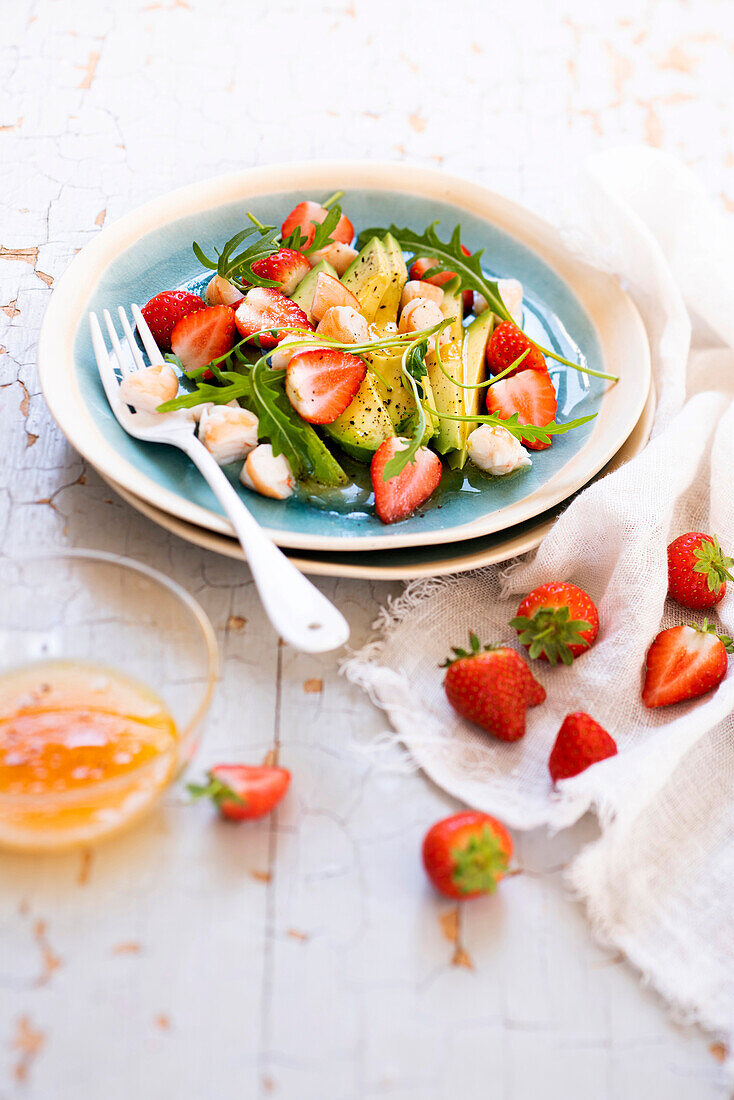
(473, 520)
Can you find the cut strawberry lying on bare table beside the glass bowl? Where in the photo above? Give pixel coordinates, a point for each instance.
(243, 791)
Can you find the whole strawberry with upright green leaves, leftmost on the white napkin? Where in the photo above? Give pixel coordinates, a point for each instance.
(494, 688)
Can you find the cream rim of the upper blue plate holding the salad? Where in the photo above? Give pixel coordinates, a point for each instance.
(72, 292)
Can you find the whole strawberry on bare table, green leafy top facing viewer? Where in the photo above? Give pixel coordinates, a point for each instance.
(467, 855)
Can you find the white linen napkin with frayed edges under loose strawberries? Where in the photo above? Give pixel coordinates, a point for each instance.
(660, 883)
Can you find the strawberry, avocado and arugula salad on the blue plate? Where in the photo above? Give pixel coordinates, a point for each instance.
(317, 357)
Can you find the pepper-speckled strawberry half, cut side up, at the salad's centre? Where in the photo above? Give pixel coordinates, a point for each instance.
(322, 383)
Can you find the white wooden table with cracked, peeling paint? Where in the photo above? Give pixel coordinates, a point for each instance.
(305, 956)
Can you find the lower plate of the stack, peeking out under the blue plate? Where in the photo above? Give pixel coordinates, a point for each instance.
(403, 565)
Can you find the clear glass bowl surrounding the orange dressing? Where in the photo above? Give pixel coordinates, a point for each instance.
(118, 615)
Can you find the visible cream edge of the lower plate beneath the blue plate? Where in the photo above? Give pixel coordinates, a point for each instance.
(512, 548)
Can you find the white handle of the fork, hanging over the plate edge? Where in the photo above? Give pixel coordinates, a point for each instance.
(301, 614)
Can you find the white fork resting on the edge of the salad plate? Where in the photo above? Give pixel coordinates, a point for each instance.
(301, 614)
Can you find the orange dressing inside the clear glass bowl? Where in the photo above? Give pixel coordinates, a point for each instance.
(83, 751)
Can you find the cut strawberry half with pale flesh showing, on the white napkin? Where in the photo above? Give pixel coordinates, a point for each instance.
(685, 663)
